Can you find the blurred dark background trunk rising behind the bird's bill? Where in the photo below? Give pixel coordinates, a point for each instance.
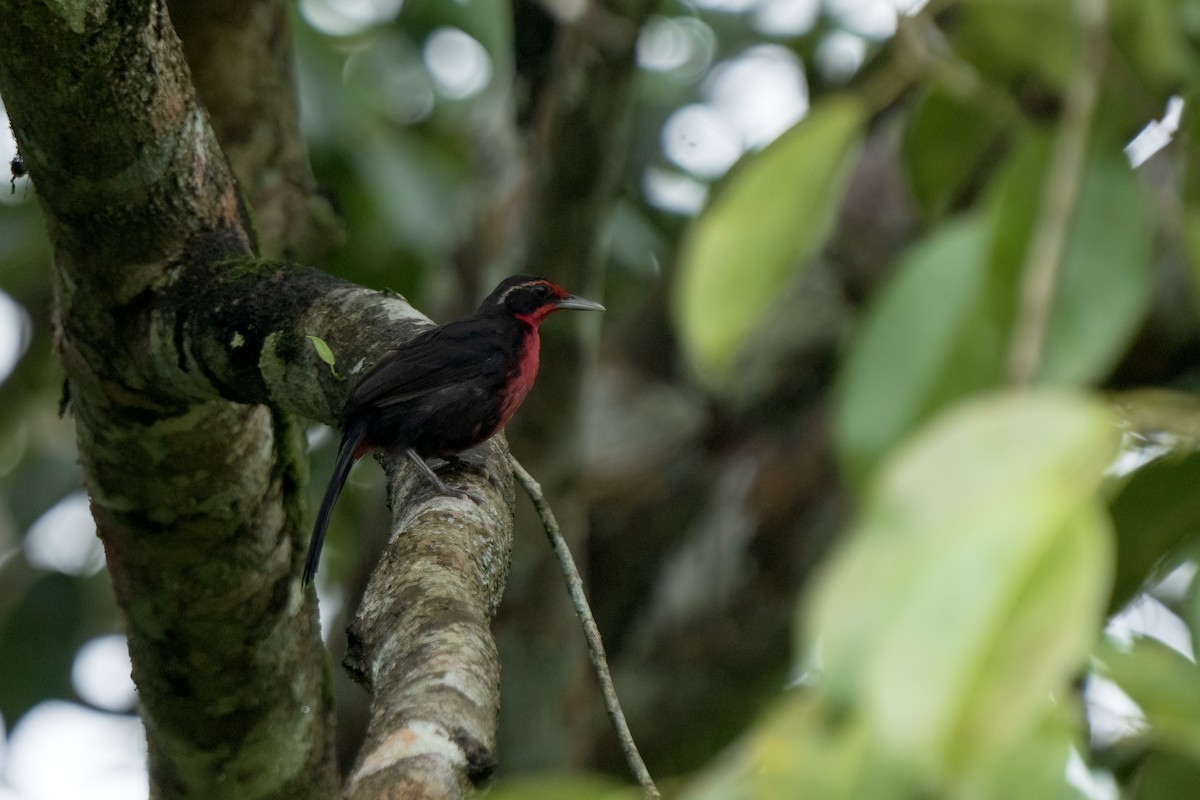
(577, 125)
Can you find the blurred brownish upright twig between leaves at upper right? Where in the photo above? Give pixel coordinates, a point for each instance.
(1049, 240)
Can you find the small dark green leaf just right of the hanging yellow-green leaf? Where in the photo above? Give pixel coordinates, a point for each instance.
(943, 149)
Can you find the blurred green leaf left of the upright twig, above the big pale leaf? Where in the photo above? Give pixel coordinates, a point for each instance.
(925, 342)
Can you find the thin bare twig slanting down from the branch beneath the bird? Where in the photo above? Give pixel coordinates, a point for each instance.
(591, 633)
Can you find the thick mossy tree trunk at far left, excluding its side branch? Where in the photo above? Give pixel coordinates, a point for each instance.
(197, 501)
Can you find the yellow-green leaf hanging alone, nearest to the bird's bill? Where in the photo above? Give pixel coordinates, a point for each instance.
(773, 214)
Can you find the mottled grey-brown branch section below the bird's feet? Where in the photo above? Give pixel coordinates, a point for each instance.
(422, 641)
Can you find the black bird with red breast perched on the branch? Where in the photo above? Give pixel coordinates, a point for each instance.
(447, 390)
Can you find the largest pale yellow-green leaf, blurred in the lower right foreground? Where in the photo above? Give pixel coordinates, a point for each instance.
(976, 582)
